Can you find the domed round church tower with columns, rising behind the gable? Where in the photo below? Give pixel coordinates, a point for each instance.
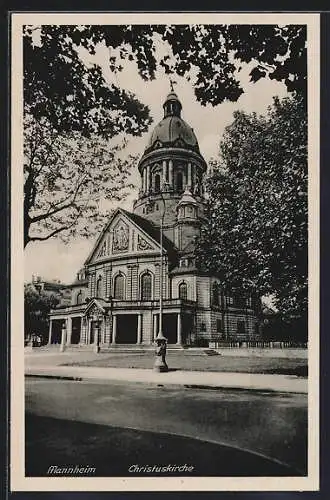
(171, 170)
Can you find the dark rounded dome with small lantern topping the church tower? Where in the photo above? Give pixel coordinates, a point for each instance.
(172, 131)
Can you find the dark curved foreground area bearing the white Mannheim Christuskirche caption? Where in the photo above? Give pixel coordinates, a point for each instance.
(113, 452)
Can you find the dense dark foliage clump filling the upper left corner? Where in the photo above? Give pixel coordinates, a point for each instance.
(72, 95)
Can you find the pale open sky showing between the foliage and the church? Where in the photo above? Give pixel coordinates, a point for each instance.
(54, 260)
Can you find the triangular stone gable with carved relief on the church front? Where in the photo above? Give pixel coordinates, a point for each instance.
(122, 235)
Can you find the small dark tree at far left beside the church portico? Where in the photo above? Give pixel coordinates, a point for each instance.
(37, 305)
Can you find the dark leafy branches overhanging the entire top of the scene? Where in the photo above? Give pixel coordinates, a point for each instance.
(74, 95)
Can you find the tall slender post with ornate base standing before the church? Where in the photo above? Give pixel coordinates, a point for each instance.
(161, 341)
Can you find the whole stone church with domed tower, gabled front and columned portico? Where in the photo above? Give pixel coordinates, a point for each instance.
(142, 267)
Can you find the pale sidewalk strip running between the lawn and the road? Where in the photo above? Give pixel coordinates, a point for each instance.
(195, 379)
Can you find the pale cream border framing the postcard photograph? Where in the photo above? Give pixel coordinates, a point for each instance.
(18, 481)
